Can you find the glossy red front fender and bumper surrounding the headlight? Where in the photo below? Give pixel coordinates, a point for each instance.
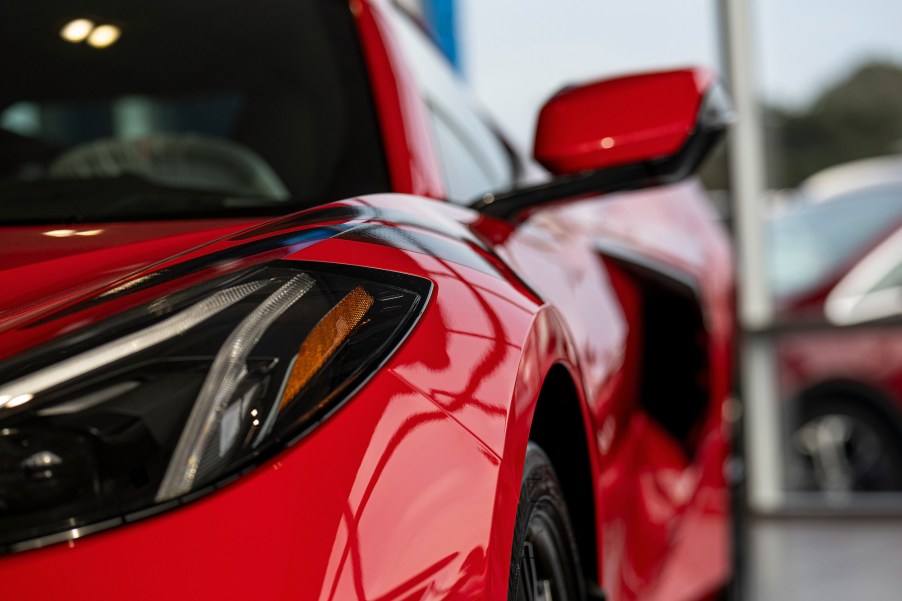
(385, 537)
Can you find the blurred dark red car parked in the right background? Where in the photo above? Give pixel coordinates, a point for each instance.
(837, 276)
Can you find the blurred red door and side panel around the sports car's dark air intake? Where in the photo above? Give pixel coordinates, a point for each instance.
(659, 510)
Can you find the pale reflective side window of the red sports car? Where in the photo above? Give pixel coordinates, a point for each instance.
(474, 159)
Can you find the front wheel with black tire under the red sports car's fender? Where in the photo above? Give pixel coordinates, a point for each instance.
(543, 555)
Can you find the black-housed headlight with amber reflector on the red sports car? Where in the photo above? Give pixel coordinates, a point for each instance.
(173, 398)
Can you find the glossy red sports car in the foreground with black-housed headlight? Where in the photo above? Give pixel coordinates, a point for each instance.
(283, 317)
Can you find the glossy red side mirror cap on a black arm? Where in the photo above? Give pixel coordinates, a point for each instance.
(620, 121)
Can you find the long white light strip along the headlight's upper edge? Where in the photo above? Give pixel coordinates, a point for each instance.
(105, 354)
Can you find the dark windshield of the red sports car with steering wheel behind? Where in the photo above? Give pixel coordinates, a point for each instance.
(115, 110)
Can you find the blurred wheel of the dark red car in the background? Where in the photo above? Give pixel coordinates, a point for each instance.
(843, 446)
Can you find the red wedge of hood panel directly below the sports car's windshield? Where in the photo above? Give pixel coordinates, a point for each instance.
(42, 266)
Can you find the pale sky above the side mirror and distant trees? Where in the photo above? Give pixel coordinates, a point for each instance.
(516, 53)
